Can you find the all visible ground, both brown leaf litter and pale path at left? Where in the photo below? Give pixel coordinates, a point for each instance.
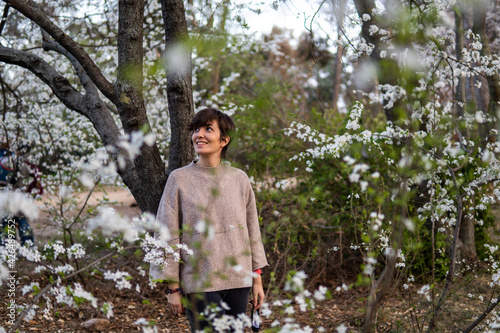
(404, 310)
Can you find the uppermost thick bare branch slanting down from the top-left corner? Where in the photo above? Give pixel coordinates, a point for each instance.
(30, 9)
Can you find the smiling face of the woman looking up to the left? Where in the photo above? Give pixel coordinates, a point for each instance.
(207, 140)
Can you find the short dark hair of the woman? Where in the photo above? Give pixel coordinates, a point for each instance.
(225, 123)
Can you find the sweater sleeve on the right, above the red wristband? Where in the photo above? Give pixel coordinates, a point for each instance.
(258, 255)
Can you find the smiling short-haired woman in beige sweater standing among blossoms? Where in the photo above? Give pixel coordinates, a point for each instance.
(211, 206)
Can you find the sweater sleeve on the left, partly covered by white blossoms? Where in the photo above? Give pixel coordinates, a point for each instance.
(168, 215)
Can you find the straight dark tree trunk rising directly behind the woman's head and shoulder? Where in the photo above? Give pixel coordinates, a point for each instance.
(179, 86)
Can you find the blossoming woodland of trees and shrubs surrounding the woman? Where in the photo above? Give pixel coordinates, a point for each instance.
(371, 141)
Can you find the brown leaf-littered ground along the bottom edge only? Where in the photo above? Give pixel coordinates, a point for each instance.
(345, 308)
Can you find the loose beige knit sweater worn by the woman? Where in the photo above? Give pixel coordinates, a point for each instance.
(222, 199)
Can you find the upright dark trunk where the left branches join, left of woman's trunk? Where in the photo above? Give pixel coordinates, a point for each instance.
(130, 103)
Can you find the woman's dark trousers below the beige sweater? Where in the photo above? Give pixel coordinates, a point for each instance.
(236, 300)
